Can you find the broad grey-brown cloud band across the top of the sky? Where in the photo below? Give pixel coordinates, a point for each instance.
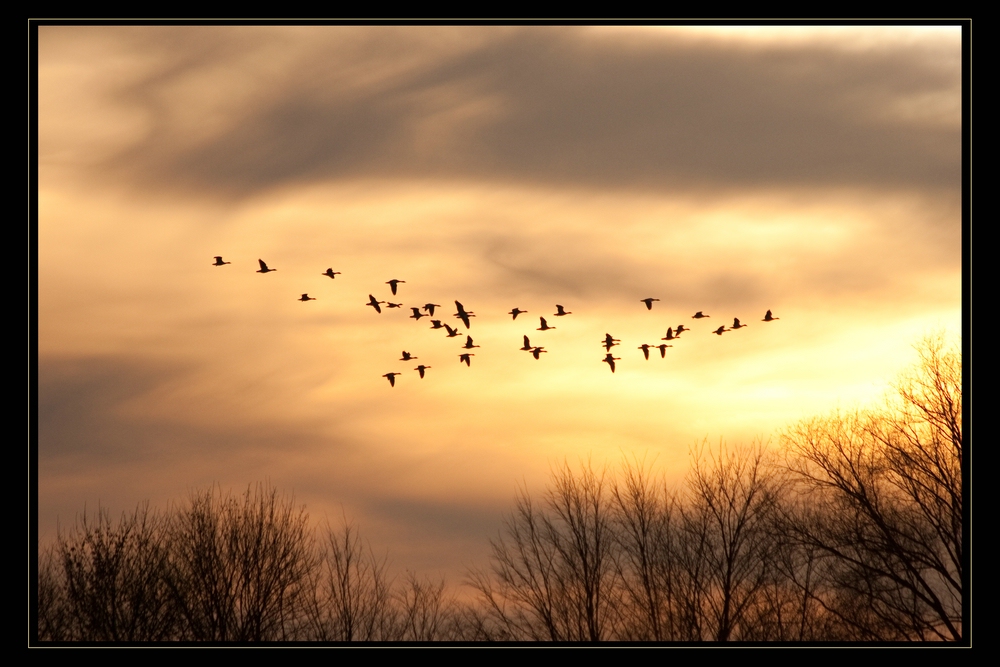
(555, 106)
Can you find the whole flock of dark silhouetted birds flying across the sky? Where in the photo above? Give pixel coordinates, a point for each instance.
(535, 350)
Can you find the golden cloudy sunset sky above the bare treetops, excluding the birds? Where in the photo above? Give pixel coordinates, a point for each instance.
(811, 171)
